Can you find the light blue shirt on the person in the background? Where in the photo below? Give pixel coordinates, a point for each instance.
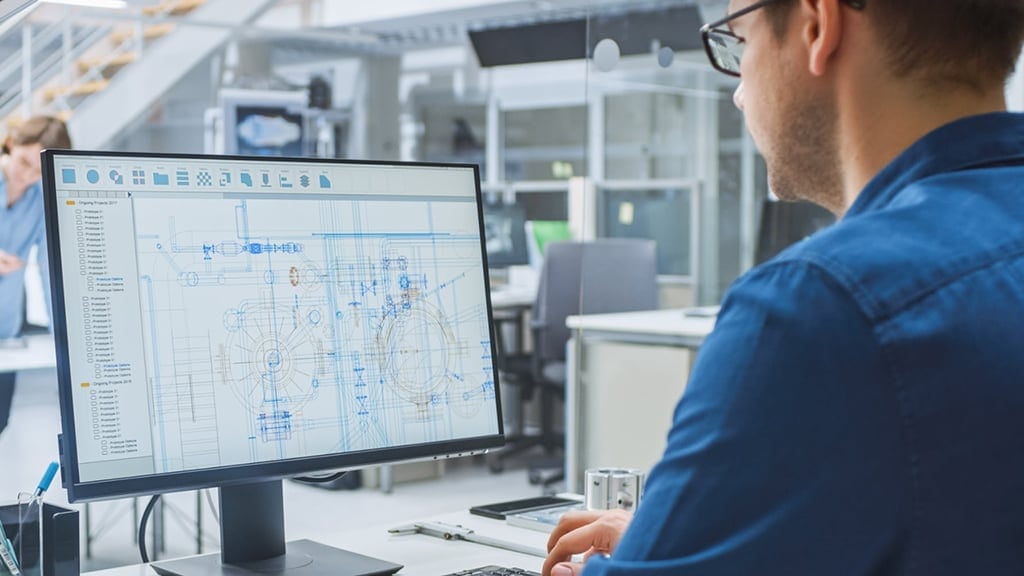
(22, 227)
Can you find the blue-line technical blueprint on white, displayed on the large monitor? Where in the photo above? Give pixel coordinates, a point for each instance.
(269, 341)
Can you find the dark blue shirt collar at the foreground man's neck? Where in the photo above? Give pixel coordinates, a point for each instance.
(989, 140)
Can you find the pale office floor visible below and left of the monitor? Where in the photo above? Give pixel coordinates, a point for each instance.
(30, 444)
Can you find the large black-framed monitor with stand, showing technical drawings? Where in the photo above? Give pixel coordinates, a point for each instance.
(235, 321)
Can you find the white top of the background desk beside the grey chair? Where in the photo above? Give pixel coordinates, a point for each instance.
(663, 326)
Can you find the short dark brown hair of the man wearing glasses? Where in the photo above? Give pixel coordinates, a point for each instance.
(968, 43)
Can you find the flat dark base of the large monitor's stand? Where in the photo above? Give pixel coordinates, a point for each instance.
(305, 558)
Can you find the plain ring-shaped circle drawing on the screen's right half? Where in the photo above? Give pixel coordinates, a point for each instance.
(415, 352)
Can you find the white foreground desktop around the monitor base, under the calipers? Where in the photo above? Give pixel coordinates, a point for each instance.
(421, 555)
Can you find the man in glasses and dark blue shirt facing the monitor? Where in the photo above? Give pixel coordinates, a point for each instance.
(859, 409)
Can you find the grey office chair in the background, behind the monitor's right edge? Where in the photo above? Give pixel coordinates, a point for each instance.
(600, 277)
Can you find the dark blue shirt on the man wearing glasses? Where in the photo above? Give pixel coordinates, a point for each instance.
(860, 407)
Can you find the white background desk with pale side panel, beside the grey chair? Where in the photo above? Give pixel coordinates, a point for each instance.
(625, 375)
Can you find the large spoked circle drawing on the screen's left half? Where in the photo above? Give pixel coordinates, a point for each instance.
(272, 360)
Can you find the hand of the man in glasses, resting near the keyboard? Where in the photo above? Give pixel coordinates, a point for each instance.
(584, 532)
